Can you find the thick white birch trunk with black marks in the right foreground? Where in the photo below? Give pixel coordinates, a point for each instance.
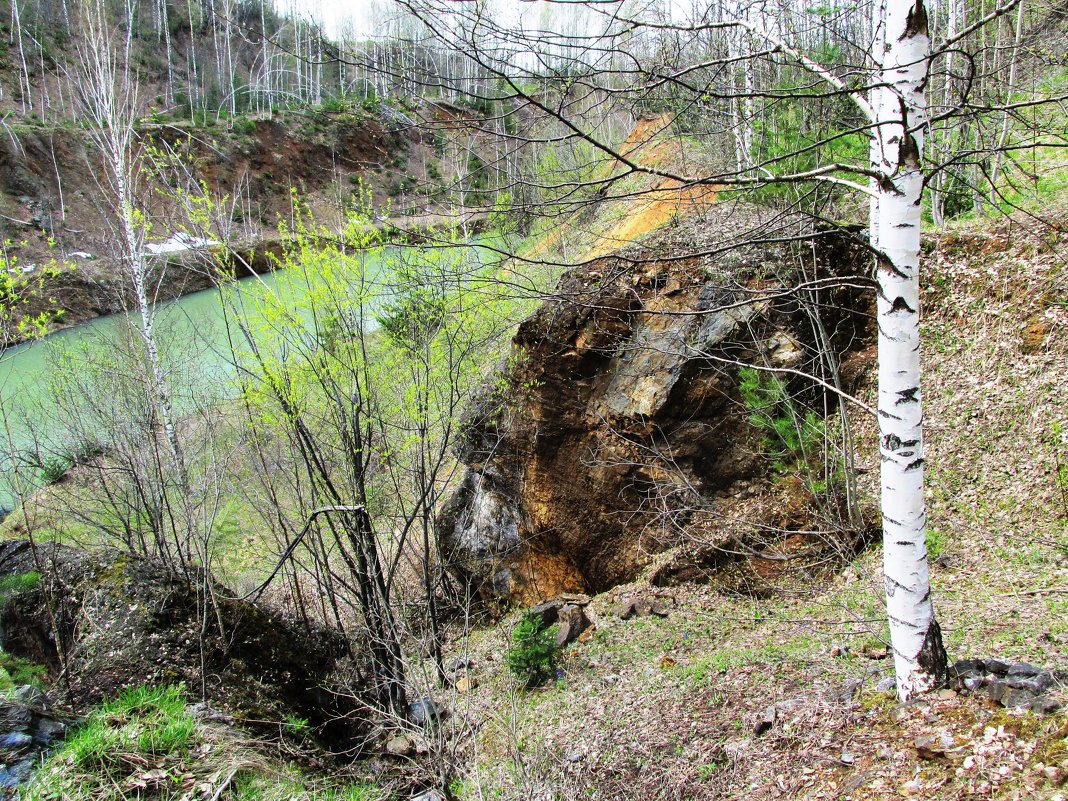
(902, 114)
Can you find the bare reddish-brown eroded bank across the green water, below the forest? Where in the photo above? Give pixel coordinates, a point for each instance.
(309, 167)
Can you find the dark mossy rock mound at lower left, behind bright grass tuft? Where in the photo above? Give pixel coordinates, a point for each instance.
(127, 621)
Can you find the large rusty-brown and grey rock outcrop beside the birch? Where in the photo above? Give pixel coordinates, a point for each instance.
(621, 414)
